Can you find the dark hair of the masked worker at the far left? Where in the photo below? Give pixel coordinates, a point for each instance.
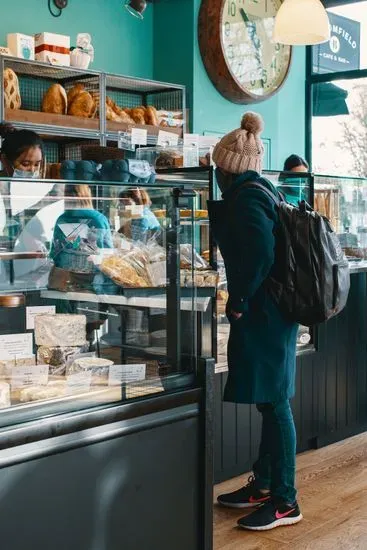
(15, 142)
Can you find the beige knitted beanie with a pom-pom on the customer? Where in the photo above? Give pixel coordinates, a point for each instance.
(242, 149)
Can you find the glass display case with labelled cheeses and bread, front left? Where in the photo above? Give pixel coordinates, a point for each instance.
(102, 290)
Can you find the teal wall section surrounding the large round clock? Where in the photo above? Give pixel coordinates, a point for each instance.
(177, 58)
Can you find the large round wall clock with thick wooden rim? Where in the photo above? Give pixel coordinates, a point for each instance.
(235, 38)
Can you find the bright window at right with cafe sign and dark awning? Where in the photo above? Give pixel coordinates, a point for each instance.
(337, 79)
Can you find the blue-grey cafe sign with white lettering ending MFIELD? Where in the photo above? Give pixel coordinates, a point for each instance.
(342, 52)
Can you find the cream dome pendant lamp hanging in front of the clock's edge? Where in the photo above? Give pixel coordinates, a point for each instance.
(301, 23)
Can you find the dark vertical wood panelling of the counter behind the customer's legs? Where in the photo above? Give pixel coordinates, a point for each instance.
(331, 398)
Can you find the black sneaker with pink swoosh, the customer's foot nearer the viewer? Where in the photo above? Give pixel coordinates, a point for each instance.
(270, 516)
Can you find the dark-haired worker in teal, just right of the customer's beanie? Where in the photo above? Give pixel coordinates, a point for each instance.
(293, 185)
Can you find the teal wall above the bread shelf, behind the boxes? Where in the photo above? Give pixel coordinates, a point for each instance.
(122, 43)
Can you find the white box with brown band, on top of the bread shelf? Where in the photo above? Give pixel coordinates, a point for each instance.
(53, 48)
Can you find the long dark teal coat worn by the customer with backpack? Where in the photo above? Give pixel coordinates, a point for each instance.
(262, 343)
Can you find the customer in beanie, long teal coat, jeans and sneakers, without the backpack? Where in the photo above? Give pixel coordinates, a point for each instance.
(262, 343)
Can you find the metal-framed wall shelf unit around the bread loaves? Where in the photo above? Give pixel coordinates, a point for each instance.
(129, 91)
